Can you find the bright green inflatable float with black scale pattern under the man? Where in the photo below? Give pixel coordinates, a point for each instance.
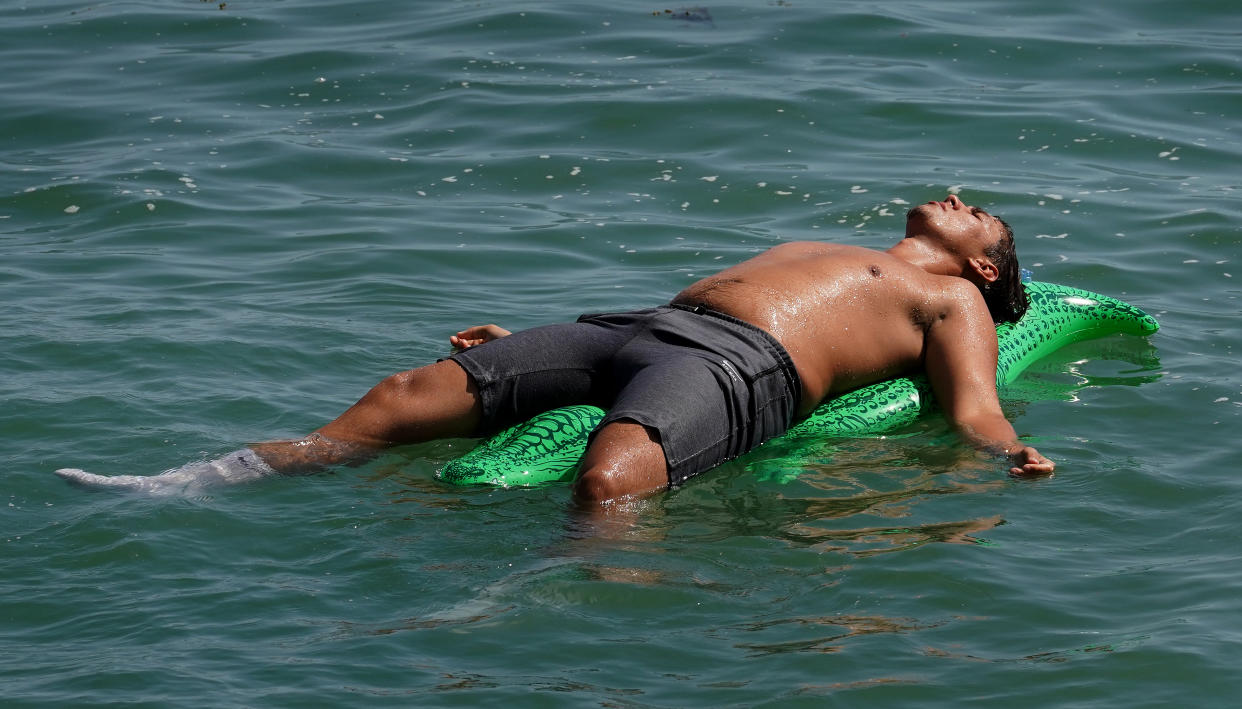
(547, 449)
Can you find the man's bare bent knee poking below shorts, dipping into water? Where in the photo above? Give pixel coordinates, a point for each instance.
(625, 459)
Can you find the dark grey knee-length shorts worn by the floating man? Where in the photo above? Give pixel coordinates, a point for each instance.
(712, 387)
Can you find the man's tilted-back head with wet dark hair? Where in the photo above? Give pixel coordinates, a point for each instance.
(977, 246)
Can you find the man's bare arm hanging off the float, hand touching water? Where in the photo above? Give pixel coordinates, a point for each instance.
(961, 361)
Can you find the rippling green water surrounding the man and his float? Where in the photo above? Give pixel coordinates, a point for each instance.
(220, 227)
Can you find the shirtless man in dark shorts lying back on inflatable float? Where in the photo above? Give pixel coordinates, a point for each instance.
(731, 362)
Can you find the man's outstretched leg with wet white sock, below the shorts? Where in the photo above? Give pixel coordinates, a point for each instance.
(435, 402)
